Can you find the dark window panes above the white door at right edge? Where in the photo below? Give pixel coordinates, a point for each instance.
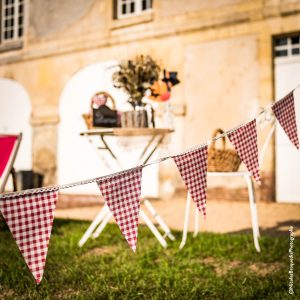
(287, 46)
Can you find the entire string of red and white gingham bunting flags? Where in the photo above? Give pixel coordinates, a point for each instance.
(29, 214)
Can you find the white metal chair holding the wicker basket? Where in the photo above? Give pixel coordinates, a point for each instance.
(248, 178)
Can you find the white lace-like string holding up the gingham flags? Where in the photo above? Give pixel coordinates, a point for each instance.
(160, 160)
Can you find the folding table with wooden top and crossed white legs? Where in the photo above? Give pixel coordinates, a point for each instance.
(156, 137)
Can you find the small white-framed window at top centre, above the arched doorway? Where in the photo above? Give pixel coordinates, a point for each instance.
(127, 8)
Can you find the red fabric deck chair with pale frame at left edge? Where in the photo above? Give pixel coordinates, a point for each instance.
(9, 146)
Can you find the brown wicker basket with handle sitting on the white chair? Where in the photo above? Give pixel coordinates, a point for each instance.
(222, 160)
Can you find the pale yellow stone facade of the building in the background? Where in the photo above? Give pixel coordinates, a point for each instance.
(221, 49)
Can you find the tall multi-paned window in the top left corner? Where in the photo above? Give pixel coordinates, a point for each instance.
(12, 20)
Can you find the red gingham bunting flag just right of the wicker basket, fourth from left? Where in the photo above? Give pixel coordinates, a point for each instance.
(244, 140)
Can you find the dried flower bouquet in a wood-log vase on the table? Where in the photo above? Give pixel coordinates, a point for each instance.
(135, 77)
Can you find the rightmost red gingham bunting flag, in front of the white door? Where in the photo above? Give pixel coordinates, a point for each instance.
(284, 111)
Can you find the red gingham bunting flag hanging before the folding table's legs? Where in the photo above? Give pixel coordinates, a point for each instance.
(122, 194)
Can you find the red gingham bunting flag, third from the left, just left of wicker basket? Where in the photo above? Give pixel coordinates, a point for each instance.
(193, 170)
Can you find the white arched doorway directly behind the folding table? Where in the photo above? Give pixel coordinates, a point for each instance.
(77, 158)
